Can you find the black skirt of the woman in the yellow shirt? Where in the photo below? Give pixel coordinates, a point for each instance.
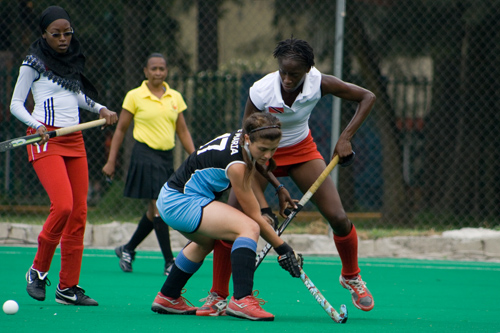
(148, 171)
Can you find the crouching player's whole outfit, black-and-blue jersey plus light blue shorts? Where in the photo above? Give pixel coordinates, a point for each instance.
(200, 179)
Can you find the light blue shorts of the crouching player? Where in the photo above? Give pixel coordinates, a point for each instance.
(180, 211)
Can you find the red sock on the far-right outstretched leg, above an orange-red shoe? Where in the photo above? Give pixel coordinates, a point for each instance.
(347, 247)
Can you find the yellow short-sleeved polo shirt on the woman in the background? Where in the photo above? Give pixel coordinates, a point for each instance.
(154, 118)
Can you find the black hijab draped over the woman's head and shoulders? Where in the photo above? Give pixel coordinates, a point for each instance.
(65, 69)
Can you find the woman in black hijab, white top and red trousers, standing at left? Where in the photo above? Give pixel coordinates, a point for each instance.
(53, 71)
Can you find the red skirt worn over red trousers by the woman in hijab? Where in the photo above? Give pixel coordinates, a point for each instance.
(70, 145)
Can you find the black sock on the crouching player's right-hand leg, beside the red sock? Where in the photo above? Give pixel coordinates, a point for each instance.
(243, 264)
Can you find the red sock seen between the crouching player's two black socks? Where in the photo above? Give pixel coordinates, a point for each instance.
(222, 268)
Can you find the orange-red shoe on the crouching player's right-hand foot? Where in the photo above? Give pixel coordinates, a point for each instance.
(248, 308)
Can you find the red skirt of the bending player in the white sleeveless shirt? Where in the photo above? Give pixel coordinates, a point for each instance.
(304, 151)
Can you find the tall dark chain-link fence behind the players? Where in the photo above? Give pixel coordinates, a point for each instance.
(427, 157)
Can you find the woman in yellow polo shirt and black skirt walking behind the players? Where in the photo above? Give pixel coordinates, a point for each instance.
(157, 113)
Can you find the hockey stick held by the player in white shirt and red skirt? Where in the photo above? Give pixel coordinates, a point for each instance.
(305, 198)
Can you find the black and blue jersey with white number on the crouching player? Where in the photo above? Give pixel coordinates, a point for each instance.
(204, 172)
